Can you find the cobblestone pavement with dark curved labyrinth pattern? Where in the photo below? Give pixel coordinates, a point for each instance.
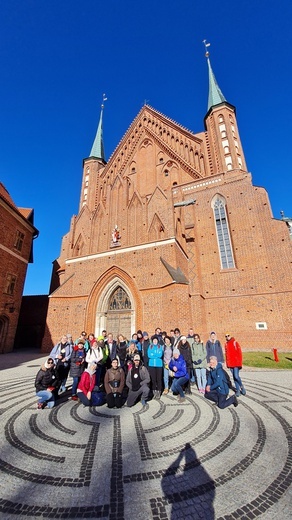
(170, 461)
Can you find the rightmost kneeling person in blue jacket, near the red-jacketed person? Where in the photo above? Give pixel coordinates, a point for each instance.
(217, 389)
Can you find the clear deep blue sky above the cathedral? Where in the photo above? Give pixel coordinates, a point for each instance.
(57, 58)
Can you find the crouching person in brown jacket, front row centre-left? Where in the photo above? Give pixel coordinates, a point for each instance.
(114, 382)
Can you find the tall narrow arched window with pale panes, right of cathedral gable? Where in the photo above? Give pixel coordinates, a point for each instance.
(223, 236)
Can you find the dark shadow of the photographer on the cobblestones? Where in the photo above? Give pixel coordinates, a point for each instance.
(188, 487)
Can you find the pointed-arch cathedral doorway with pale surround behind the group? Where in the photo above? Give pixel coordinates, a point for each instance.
(116, 311)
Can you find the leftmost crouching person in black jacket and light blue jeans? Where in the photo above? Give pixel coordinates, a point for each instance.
(46, 383)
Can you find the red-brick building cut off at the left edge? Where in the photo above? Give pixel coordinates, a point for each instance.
(17, 232)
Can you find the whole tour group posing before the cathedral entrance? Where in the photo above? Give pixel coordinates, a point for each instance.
(117, 371)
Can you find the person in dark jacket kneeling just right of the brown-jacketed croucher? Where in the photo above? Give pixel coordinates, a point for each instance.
(137, 381)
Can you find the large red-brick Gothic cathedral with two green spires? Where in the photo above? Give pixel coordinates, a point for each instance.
(172, 232)
